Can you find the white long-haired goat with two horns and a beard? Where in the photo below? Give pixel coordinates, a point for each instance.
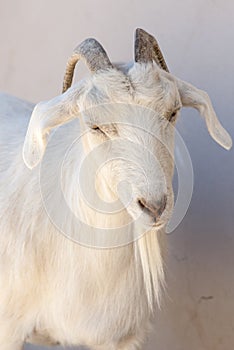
(54, 290)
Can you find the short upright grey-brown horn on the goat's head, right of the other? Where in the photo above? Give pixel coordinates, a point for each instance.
(147, 49)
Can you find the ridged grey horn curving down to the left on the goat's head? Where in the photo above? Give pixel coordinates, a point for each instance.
(94, 55)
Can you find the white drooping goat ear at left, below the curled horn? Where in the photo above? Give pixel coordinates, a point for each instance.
(46, 116)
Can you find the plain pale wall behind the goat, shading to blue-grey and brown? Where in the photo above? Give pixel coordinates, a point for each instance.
(197, 38)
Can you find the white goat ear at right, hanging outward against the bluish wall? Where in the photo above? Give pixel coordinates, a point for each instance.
(193, 97)
